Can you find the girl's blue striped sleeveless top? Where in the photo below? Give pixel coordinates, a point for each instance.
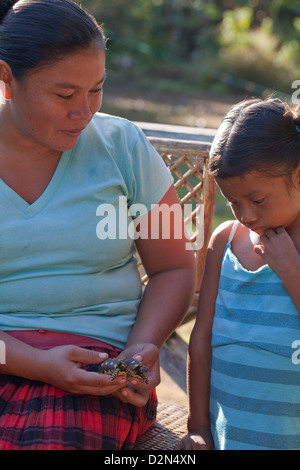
(255, 377)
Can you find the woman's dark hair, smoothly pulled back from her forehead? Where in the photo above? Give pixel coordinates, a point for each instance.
(34, 33)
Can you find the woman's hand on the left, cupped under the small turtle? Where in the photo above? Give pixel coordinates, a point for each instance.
(62, 367)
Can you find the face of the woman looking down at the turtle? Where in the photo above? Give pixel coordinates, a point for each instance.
(52, 106)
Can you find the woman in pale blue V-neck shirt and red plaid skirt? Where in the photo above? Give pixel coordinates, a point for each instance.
(71, 295)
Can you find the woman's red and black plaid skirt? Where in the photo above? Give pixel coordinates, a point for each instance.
(38, 416)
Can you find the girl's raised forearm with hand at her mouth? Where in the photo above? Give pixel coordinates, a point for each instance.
(280, 253)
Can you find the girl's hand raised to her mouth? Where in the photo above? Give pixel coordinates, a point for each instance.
(279, 251)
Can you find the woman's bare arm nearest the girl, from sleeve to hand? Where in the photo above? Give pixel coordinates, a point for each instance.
(169, 292)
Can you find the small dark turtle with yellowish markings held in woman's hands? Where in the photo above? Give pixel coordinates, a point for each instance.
(130, 367)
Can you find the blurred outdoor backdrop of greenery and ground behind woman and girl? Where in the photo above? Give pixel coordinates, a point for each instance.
(186, 62)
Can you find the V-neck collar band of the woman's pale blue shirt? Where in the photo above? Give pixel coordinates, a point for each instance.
(31, 209)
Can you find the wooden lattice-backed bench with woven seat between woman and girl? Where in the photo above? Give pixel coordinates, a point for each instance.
(186, 153)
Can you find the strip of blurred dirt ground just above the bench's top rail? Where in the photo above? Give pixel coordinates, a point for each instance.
(138, 102)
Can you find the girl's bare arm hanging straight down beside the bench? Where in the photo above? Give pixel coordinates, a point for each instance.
(199, 360)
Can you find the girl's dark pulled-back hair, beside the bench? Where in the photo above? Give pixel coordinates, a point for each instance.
(257, 135)
